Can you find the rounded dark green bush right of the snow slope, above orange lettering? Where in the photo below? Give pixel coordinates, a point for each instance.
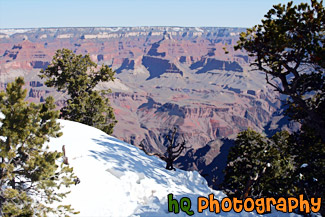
(258, 166)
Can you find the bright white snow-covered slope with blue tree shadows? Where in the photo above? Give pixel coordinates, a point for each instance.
(118, 179)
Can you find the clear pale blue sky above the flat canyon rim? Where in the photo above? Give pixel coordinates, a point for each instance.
(93, 13)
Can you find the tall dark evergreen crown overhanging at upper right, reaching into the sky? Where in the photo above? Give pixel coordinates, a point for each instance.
(289, 46)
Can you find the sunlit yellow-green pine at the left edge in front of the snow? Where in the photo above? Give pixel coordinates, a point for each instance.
(30, 178)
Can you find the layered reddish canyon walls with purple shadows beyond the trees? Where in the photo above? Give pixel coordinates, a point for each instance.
(166, 77)
